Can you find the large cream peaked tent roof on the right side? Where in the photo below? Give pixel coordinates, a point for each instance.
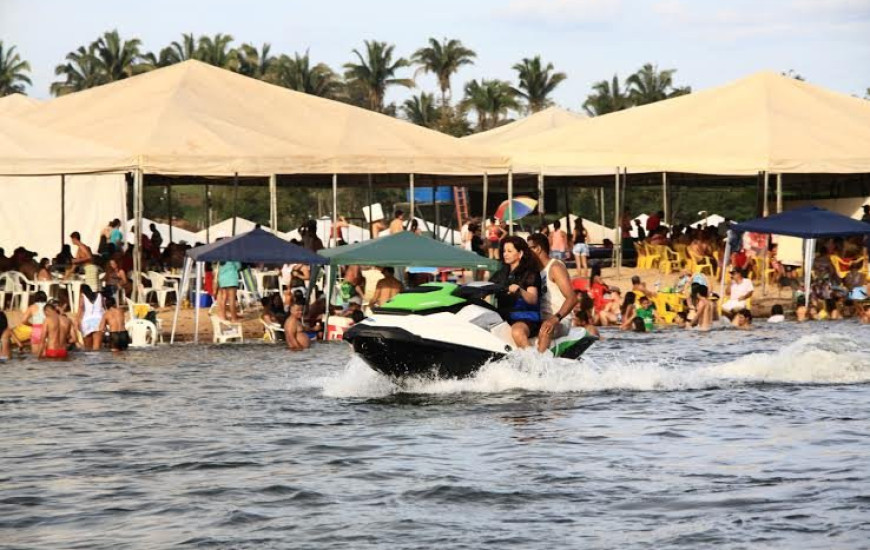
(764, 122)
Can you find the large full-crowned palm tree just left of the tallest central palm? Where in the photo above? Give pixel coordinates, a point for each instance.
(376, 71)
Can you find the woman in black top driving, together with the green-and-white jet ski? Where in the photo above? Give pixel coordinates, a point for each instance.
(449, 331)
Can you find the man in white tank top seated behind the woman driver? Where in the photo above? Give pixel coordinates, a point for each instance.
(557, 297)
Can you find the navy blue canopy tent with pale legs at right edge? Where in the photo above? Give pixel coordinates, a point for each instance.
(809, 223)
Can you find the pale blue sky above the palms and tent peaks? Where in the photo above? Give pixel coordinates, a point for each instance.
(708, 42)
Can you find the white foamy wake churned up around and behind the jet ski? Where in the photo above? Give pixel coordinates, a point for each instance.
(828, 359)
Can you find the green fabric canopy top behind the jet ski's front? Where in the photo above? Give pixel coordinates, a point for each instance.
(406, 250)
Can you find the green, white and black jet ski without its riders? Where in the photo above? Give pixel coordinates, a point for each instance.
(443, 330)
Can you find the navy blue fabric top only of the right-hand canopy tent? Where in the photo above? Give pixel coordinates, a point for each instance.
(809, 222)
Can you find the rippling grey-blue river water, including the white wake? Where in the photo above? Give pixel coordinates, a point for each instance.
(675, 439)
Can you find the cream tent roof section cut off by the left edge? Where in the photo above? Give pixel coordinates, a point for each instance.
(29, 150)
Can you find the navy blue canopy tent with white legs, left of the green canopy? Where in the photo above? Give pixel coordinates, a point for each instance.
(255, 247)
